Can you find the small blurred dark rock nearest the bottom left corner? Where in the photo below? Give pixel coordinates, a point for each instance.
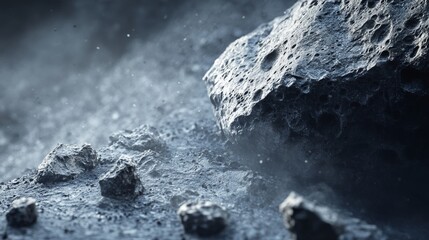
(23, 212)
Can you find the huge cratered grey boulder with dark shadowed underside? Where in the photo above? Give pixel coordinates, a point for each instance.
(329, 69)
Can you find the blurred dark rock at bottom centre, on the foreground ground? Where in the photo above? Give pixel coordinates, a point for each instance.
(203, 218)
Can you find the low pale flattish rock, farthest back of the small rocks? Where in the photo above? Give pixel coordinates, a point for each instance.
(140, 139)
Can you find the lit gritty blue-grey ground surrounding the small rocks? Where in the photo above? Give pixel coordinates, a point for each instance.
(76, 209)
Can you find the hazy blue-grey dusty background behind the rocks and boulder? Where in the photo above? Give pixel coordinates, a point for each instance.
(77, 71)
